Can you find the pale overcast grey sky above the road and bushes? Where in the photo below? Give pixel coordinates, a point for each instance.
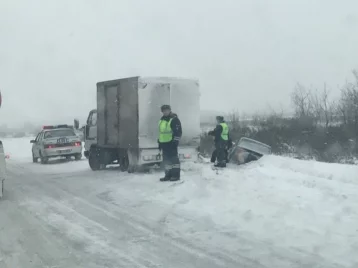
(247, 54)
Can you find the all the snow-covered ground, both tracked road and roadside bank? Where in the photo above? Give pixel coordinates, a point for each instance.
(277, 212)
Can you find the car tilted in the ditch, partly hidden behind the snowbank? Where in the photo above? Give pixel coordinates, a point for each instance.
(247, 150)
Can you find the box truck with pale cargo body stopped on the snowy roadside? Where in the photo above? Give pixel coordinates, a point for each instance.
(124, 127)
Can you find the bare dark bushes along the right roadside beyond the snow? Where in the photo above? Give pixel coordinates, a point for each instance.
(323, 127)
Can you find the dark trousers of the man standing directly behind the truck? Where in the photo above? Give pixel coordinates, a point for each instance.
(171, 160)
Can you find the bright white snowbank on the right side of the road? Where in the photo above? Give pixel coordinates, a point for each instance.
(291, 205)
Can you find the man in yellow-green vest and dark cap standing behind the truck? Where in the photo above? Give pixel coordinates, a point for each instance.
(170, 132)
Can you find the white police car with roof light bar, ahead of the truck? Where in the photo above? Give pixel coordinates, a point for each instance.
(56, 141)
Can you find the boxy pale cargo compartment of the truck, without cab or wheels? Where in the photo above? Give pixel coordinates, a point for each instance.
(129, 110)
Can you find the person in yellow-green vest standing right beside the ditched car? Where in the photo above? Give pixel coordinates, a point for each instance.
(222, 142)
